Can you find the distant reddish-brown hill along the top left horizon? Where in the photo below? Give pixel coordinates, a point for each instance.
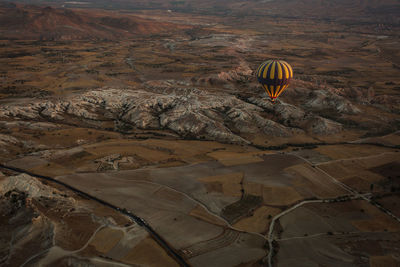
(48, 23)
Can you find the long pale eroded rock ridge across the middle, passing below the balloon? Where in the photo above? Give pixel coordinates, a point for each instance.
(189, 112)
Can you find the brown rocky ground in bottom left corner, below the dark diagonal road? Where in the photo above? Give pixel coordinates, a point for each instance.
(38, 219)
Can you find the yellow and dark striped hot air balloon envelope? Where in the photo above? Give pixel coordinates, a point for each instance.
(274, 76)
